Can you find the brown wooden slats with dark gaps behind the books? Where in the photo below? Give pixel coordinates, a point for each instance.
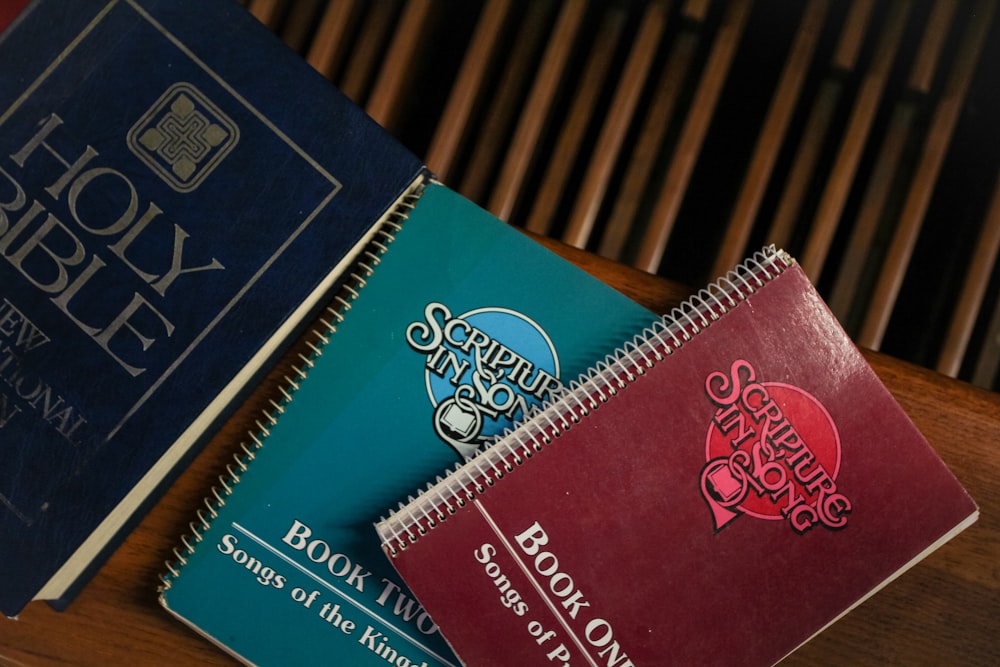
(677, 136)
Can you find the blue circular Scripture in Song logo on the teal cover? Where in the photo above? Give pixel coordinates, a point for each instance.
(484, 370)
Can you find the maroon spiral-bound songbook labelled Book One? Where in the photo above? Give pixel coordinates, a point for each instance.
(715, 493)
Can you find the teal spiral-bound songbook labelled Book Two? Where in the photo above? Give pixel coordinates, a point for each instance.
(462, 325)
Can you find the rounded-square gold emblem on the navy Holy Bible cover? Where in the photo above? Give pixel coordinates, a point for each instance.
(183, 137)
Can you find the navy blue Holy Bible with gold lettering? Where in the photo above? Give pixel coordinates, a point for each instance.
(178, 191)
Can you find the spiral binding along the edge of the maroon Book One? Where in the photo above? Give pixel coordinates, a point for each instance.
(466, 480)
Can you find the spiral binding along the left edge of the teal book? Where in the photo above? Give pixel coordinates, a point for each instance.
(369, 258)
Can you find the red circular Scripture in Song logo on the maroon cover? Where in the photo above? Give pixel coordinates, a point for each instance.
(773, 453)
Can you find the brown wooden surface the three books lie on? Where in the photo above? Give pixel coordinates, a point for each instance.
(945, 611)
